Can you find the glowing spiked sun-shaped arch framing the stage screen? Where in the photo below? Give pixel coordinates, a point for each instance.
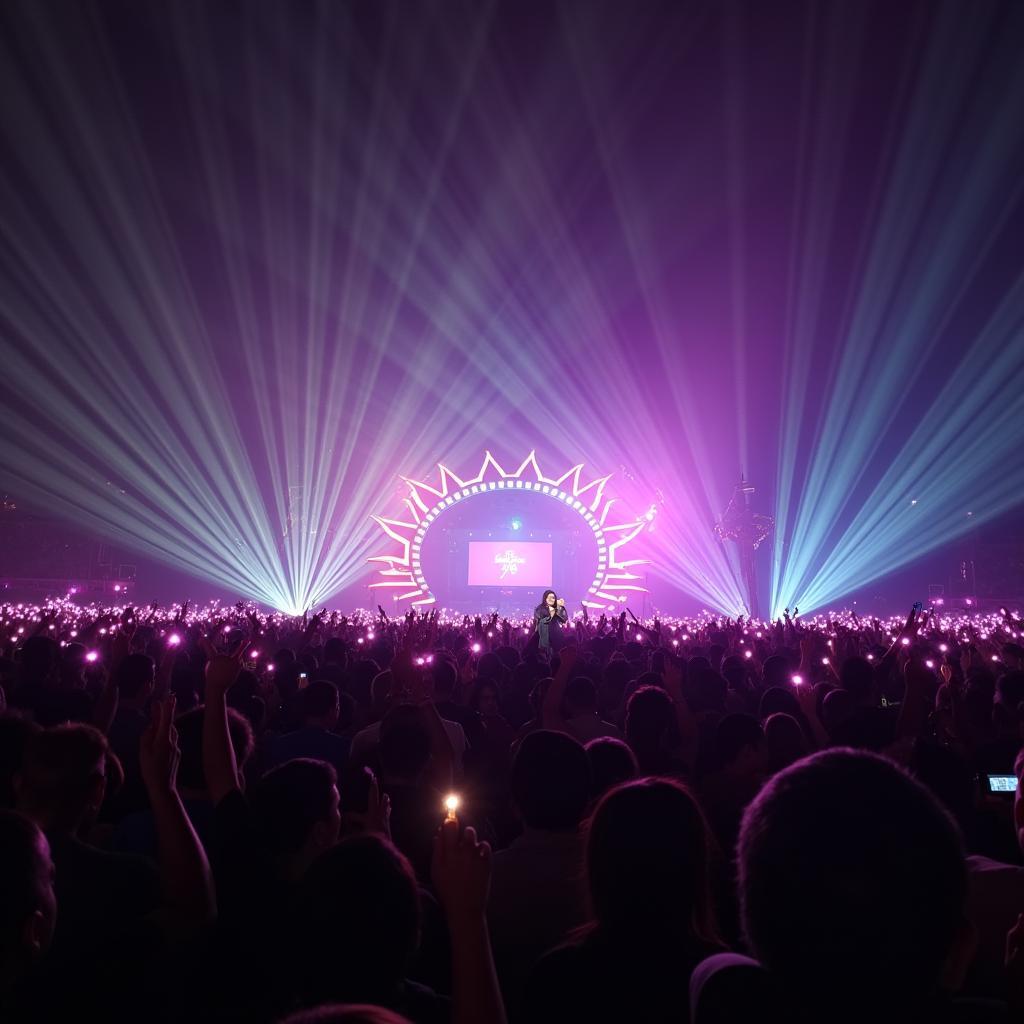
(614, 578)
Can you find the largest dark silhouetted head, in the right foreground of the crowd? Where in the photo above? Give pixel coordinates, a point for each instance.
(852, 884)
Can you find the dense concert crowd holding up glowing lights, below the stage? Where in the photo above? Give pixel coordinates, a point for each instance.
(220, 814)
